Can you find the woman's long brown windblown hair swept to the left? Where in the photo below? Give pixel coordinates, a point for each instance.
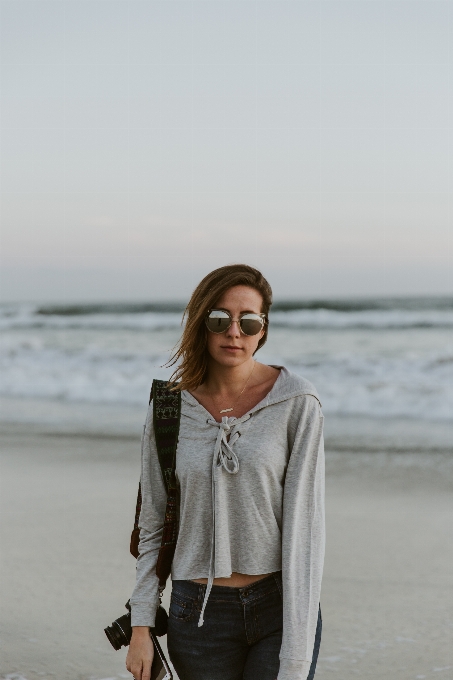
(191, 353)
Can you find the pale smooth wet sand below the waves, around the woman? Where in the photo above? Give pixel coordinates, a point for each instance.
(67, 505)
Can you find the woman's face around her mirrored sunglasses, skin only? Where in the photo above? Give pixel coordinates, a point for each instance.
(233, 348)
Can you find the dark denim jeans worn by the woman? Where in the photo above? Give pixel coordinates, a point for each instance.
(241, 636)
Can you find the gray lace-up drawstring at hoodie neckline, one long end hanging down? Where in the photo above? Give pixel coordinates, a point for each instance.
(225, 457)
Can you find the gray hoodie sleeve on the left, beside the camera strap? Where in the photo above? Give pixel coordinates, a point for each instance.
(145, 598)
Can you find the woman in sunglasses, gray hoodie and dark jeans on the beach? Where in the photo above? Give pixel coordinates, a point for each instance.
(247, 569)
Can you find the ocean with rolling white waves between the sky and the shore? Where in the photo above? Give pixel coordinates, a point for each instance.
(375, 357)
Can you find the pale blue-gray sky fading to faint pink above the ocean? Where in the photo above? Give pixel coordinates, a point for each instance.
(144, 143)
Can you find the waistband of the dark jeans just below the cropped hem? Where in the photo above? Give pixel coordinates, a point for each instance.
(256, 590)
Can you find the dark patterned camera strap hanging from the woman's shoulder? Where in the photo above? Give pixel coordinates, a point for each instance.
(166, 419)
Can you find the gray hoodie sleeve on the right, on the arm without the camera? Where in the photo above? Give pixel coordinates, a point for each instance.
(303, 539)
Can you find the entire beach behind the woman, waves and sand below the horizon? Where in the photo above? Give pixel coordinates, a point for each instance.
(73, 394)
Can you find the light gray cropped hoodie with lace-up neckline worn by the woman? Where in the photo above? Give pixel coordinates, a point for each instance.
(252, 501)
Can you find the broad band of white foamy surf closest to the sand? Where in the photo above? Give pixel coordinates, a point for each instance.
(419, 387)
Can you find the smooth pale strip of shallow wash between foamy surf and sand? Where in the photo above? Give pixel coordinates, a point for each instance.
(348, 433)
